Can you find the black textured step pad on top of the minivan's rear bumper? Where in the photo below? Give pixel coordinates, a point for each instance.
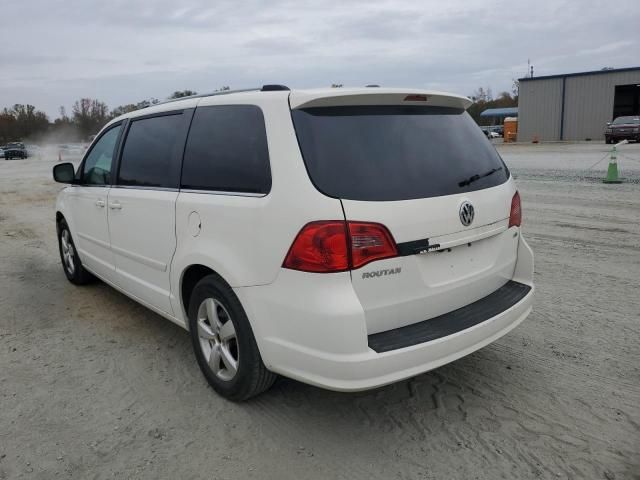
(449, 323)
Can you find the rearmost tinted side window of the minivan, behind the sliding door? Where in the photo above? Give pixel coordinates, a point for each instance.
(227, 150)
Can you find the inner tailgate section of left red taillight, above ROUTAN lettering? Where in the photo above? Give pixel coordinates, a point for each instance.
(369, 242)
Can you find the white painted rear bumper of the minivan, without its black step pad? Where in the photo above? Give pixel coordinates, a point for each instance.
(311, 328)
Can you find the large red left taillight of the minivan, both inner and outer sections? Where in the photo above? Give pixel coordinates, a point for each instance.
(324, 246)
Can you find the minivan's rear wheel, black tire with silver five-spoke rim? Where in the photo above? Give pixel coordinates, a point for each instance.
(223, 342)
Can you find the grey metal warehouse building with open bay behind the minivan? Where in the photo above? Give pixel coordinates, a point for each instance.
(576, 106)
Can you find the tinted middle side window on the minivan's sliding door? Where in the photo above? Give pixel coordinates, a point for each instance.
(151, 153)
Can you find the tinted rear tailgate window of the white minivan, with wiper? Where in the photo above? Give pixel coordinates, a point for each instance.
(383, 153)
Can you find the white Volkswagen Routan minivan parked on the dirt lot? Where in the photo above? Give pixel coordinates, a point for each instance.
(346, 238)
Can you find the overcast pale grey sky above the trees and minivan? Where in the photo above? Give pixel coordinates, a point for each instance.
(53, 52)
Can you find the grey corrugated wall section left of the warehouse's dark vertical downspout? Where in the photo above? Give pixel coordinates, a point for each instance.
(539, 104)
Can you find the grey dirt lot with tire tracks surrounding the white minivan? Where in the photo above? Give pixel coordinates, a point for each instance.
(94, 386)
